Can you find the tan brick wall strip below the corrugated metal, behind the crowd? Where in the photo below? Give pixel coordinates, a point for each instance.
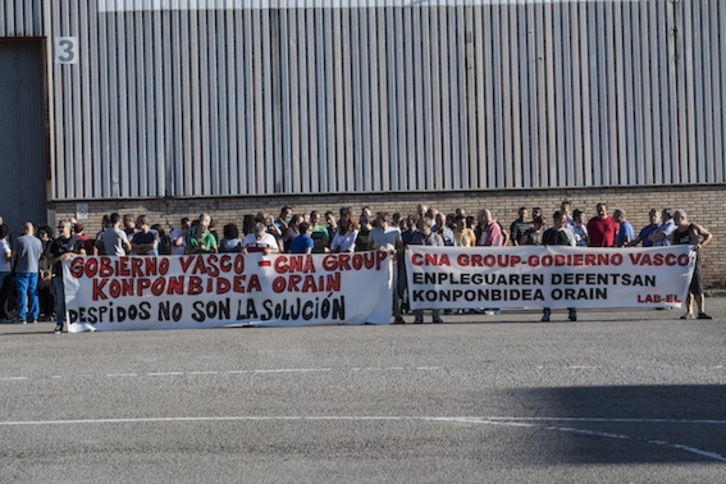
(704, 204)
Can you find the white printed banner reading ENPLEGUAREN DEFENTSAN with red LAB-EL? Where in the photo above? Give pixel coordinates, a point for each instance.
(553, 276)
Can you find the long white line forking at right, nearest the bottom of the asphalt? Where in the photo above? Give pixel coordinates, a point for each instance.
(526, 422)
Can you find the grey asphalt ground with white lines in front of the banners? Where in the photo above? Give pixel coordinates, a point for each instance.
(619, 396)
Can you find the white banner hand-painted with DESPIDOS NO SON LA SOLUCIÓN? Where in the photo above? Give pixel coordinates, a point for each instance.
(225, 290)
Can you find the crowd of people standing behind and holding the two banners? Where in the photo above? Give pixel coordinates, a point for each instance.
(30, 266)
